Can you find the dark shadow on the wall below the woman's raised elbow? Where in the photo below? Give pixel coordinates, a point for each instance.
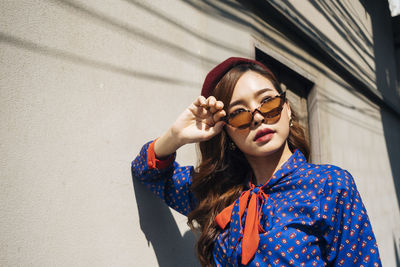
(159, 226)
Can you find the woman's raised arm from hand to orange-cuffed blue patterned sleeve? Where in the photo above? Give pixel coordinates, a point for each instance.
(155, 165)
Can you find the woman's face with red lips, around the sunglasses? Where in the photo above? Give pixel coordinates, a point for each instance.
(260, 139)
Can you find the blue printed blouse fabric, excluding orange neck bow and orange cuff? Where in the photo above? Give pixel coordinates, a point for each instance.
(313, 215)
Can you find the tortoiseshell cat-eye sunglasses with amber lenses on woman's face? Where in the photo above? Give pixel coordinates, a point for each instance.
(270, 108)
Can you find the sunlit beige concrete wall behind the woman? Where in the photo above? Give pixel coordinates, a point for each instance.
(84, 84)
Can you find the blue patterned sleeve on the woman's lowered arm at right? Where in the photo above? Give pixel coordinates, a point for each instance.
(347, 232)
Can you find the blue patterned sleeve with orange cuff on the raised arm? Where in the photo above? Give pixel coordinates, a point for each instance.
(165, 178)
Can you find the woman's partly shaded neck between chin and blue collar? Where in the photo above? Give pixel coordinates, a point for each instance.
(265, 167)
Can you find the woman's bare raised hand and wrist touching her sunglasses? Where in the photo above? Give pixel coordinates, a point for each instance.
(199, 122)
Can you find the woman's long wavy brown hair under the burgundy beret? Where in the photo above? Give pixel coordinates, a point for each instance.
(222, 173)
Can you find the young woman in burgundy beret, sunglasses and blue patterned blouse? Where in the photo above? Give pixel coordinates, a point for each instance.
(254, 197)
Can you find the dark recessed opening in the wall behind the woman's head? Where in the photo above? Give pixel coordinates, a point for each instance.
(297, 86)
